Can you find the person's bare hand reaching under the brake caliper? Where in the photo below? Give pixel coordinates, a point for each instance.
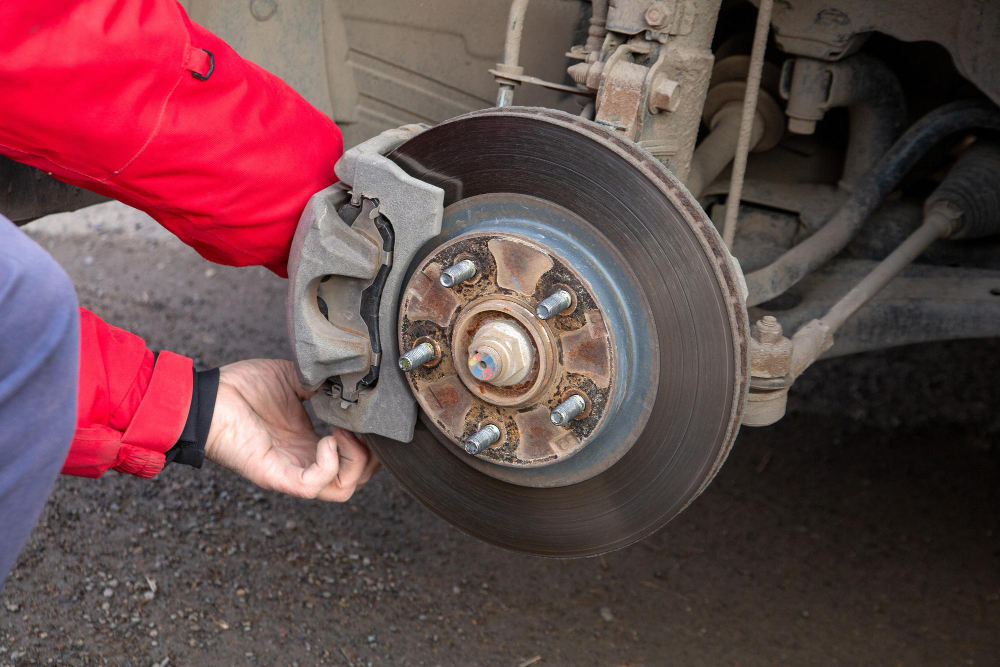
(261, 430)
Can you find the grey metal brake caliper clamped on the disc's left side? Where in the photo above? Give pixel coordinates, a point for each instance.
(338, 265)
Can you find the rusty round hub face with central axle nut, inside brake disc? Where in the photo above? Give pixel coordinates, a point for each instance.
(501, 363)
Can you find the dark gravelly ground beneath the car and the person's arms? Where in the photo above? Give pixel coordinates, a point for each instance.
(862, 529)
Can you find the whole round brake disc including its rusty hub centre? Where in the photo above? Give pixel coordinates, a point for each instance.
(656, 338)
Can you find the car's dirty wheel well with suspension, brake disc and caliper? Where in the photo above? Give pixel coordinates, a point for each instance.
(578, 245)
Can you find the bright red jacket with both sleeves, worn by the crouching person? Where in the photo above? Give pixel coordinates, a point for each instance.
(131, 99)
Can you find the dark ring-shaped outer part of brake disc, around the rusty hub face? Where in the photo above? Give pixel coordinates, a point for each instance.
(646, 230)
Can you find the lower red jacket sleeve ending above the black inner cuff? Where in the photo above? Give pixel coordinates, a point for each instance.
(130, 410)
